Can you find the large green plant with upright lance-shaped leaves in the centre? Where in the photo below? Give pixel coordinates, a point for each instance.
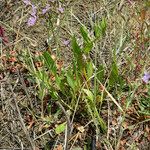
(73, 84)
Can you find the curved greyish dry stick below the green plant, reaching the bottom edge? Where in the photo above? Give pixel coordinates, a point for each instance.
(68, 128)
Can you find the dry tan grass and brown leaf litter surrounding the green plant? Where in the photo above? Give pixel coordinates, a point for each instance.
(21, 126)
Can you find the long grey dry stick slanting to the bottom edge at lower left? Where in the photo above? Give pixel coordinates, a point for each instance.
(20, 118)
